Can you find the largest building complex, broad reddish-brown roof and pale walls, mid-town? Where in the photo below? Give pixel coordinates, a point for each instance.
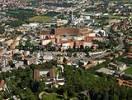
(74, 37)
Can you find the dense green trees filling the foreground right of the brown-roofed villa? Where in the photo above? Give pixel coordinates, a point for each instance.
(96, 87)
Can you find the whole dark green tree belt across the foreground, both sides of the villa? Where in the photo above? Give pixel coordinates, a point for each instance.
(79, 83)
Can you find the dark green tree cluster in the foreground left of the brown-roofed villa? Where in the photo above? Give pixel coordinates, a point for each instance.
(20, 82)
